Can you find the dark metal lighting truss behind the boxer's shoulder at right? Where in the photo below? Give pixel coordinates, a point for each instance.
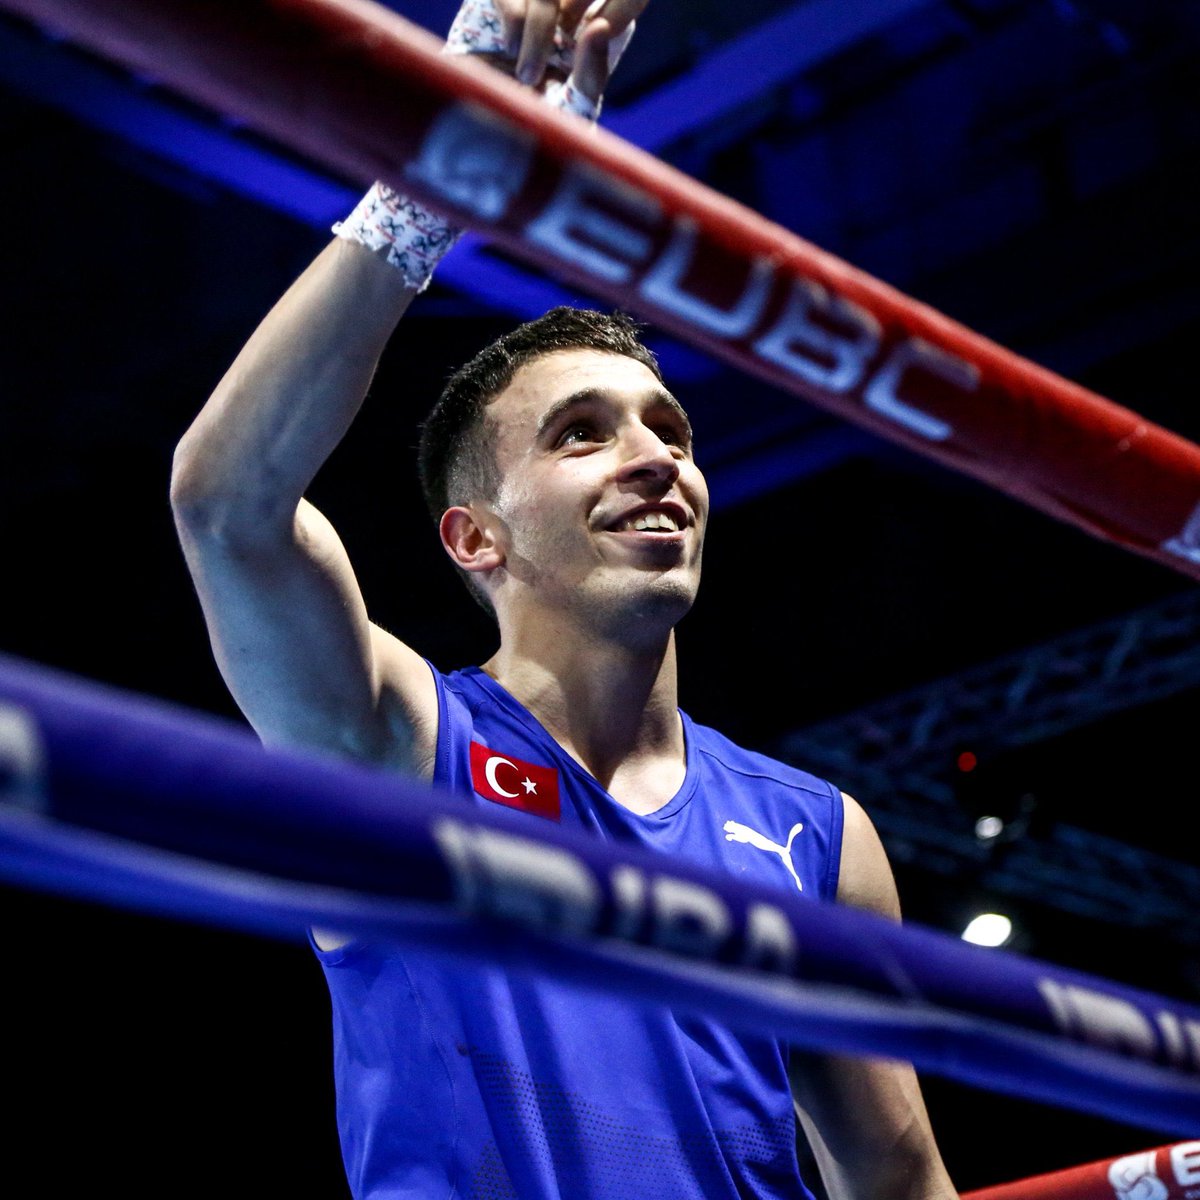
(893, 757)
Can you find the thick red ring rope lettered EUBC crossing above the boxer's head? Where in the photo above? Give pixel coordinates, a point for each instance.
(367, 94)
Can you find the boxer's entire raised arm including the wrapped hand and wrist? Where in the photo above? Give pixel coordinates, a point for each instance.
(286, 617)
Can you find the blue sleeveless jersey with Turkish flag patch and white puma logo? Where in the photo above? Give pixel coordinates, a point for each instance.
(484, 1084)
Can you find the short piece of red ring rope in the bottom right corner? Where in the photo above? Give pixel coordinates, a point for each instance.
(1166, 1173)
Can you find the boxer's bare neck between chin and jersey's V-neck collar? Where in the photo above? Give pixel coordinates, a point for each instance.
(609, 705)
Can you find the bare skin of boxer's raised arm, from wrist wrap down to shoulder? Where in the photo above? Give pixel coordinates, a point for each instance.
(286, 619)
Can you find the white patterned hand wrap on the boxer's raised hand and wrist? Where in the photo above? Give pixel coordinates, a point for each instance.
(412, 238)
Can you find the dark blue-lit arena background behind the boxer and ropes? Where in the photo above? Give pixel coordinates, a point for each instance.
(1027, 167)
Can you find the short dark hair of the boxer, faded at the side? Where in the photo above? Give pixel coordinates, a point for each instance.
(457, 463)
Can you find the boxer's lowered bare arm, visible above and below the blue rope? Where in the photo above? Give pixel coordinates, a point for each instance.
(865, 1118)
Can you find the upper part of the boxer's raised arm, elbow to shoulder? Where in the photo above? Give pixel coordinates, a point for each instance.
(291, 635)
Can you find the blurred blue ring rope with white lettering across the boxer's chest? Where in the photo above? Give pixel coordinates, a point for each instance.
(125, 801)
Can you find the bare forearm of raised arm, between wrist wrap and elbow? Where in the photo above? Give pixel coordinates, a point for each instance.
(291, 394)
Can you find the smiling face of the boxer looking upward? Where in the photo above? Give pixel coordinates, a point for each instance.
(601, 503)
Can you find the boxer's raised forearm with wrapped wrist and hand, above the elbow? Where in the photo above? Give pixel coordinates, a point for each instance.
(296, 388)
